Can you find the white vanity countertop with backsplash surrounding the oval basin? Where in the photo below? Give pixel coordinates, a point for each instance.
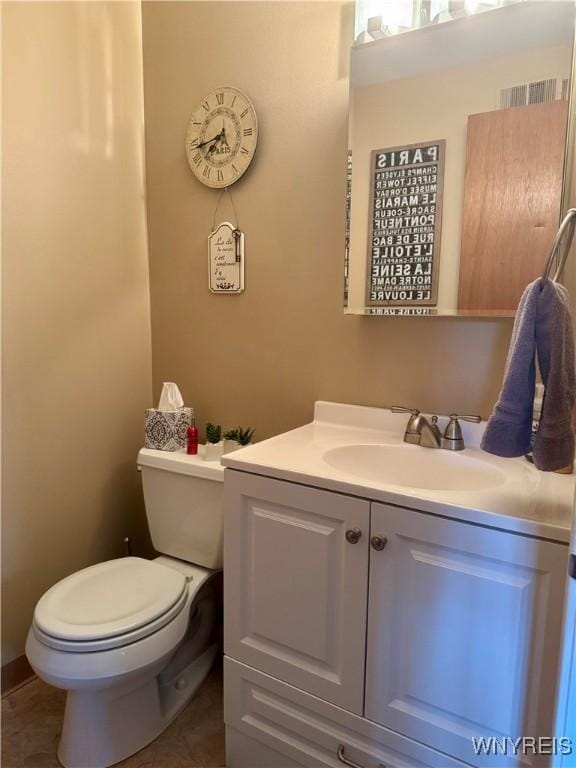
(528, 501)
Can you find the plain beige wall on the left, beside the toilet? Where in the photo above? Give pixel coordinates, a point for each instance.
(76, 346)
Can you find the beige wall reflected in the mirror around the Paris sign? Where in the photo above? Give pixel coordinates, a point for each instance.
(446, 99)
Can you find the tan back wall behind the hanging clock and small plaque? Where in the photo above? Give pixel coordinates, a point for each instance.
(262, 358)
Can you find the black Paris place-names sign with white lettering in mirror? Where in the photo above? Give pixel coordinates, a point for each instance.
(405, 224)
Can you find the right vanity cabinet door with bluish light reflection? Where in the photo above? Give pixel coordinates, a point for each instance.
(463, 634)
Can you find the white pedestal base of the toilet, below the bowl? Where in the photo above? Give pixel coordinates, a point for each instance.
(104, 727)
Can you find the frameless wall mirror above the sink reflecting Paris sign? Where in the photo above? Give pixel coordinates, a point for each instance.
(457, 154)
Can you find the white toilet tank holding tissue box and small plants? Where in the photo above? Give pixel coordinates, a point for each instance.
(183, 497)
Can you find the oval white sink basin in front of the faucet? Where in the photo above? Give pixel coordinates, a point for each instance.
(415, 467)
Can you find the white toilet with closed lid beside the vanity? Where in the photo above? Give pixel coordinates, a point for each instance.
(131, 639)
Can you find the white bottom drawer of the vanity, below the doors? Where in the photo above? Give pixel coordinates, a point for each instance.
(302, 730)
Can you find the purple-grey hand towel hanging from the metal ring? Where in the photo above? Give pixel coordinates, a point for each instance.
(543, 327)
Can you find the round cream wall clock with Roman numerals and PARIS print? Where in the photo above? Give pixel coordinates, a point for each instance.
(221, 137)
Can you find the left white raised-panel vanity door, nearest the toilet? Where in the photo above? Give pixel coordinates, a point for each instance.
(295, 589)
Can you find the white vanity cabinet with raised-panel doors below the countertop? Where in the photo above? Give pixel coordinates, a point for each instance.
(405, 652)
